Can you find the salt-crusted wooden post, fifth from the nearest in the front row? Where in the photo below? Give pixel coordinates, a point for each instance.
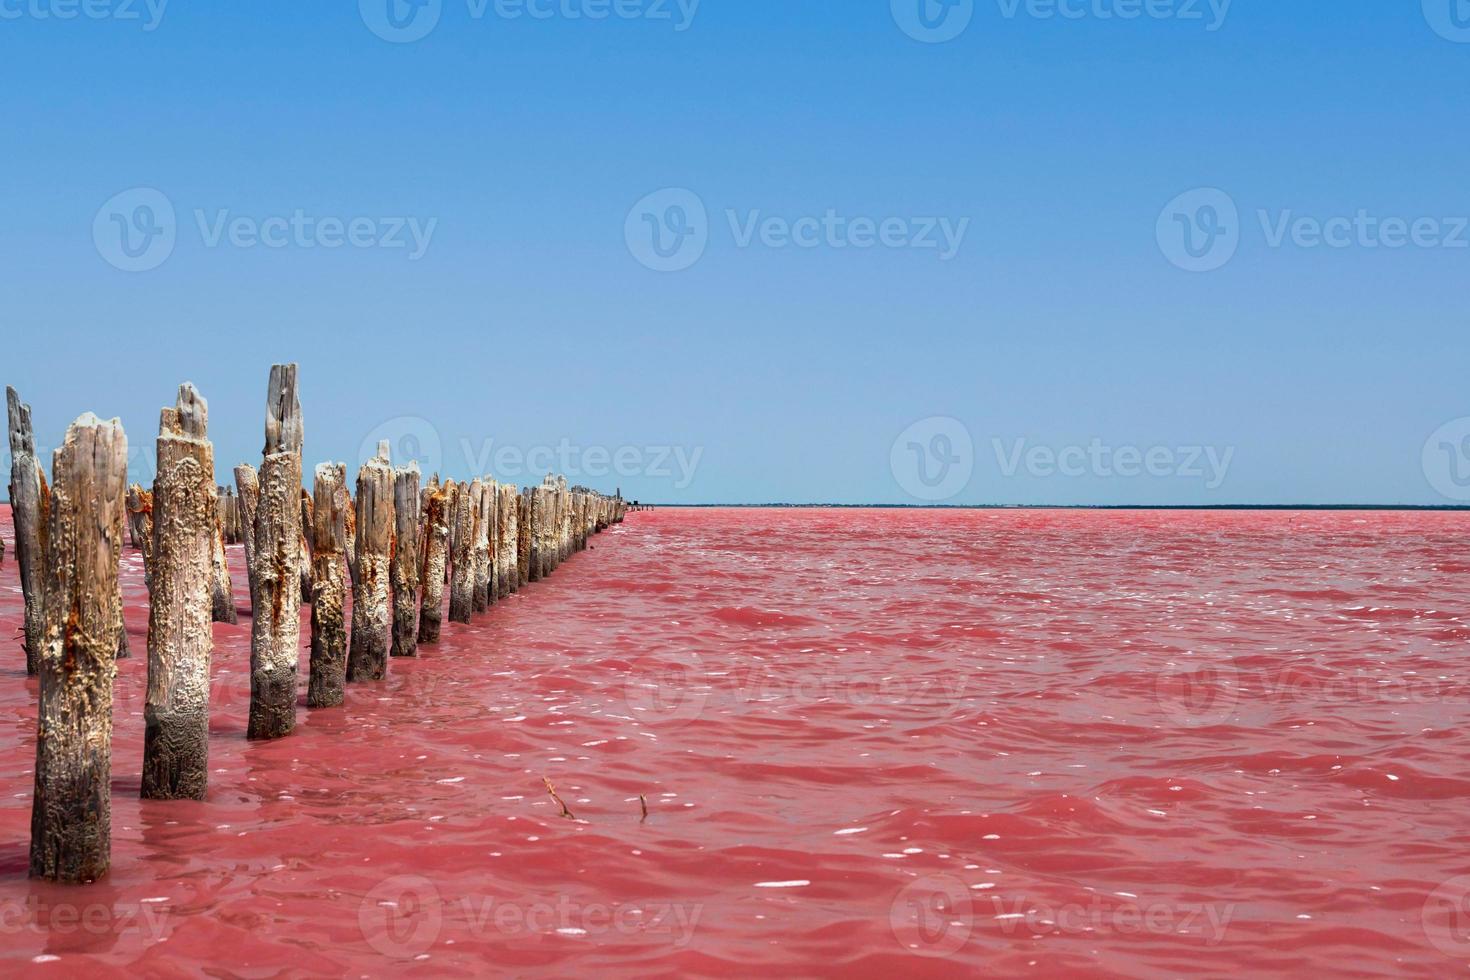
(368, 657)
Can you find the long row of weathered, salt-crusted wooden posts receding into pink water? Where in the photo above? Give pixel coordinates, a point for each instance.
(399, 543)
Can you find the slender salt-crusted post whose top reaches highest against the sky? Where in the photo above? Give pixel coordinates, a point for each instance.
(276, 587)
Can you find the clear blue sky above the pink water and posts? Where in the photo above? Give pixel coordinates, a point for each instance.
(784, 374)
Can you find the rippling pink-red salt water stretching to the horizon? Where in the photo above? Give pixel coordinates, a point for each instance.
(871, 743)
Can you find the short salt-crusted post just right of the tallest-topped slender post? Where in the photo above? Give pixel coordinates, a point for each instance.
(329, 590)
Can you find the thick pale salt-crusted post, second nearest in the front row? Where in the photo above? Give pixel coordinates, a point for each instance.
(176, 715)
